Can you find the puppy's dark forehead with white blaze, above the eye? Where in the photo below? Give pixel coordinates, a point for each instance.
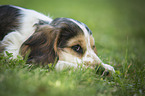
(71, 29)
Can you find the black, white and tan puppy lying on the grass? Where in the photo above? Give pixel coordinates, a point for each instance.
(65, 41)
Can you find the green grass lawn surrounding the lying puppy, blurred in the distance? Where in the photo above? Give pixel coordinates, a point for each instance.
(119, 31)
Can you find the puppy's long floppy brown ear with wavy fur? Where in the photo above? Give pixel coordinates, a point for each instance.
(41, 47)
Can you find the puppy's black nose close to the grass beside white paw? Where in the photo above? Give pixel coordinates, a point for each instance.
(101, 71)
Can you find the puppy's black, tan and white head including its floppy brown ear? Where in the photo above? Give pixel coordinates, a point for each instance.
(64, 39)
